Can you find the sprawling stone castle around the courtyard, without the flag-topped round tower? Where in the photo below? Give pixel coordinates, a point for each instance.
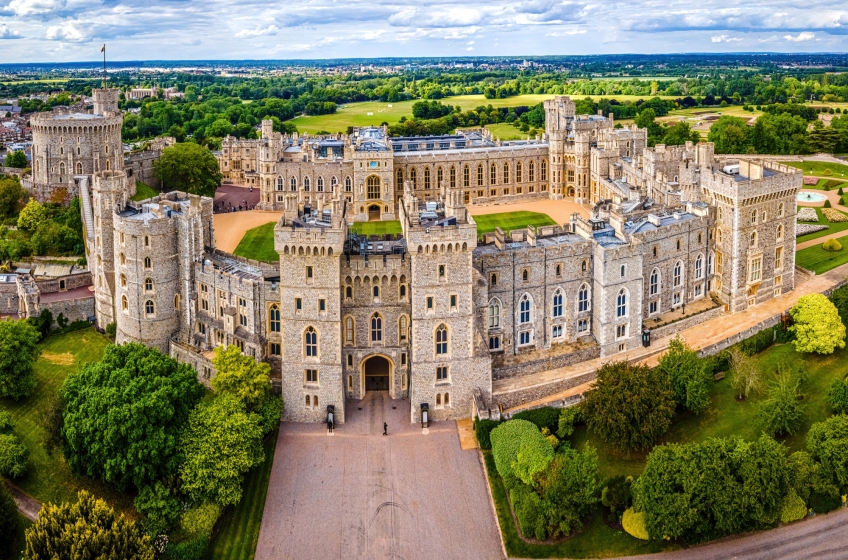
(434, 314)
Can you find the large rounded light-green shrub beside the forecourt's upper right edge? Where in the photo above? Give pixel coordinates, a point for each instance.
(520, 449)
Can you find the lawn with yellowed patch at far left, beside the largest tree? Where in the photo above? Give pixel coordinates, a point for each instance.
(48, 478)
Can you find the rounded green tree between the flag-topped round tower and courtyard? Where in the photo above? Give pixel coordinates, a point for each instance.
(188, 167)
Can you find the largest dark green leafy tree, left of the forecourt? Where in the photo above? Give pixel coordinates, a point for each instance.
(123, 415)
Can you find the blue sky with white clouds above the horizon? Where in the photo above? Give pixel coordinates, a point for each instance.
(73, 30)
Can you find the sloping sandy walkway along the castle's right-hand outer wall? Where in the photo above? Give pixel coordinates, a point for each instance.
(707, 334)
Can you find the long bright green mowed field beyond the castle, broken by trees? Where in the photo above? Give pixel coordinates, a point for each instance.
(356, 114)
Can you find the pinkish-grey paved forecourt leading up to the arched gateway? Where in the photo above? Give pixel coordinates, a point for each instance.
(359, 494)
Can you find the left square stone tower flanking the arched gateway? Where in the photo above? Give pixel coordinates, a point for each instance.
(310, 296)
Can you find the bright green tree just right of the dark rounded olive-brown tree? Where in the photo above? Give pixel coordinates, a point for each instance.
(686, 372)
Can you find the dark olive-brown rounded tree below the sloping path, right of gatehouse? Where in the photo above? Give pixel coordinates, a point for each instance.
(630, 406)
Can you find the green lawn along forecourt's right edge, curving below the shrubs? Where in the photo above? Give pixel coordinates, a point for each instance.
(597, 540)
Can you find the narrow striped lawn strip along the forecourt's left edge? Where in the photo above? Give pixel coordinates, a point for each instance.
(239, 526)
